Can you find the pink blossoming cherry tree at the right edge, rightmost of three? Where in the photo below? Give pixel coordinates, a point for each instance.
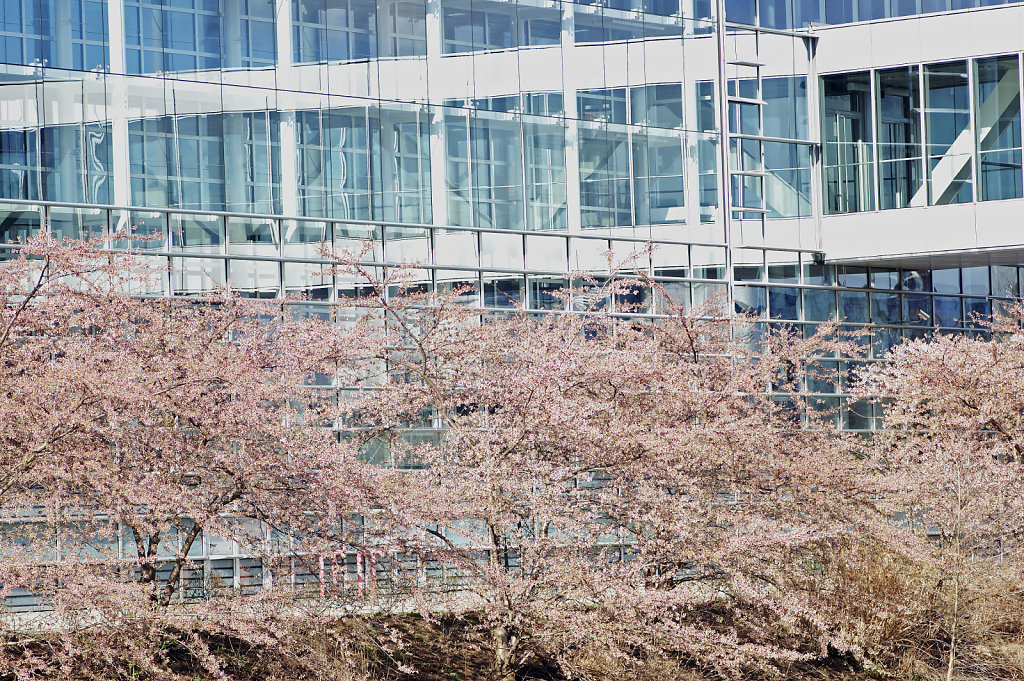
(950, 472)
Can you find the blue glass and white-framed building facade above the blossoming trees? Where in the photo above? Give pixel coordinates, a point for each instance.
(807, 160)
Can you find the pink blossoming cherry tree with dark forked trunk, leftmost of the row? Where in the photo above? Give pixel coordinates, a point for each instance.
(135, 427)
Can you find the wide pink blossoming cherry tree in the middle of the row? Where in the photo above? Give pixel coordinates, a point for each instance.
(606, 482)
